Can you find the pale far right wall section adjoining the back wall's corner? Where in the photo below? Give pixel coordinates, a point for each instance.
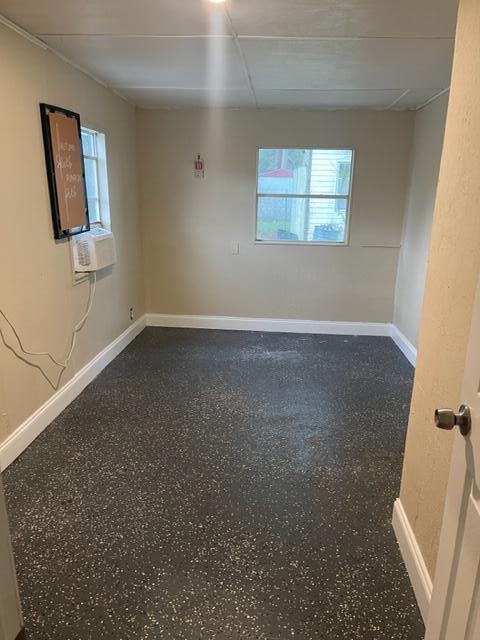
(425, 165)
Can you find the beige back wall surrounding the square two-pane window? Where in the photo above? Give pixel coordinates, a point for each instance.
(189, 224)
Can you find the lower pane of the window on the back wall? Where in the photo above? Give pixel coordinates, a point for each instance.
(302, 219)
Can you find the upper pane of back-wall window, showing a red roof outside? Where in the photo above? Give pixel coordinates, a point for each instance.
(305, 171)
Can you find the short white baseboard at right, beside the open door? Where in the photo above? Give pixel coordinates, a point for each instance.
(412, 556)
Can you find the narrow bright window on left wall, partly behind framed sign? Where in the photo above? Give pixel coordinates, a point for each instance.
(96, 178)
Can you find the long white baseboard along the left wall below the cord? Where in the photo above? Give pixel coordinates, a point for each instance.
(26, 433)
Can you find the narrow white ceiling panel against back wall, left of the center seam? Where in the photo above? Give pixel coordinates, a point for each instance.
(189, 98)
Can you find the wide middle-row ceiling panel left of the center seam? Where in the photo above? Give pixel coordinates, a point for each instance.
(156, 62)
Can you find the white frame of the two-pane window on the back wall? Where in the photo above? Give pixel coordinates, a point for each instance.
(307, 243)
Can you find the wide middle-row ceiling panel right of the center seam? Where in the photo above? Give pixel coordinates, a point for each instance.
(348, 64)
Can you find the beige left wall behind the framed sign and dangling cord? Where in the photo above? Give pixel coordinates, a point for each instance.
(35, 273)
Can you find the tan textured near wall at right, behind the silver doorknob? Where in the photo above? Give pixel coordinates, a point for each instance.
(453, 272)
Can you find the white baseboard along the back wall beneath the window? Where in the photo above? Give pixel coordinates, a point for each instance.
(269, 325)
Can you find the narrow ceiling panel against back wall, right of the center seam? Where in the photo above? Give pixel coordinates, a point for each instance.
(327, 99)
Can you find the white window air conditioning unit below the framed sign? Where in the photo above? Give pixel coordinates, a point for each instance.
(93, 250)
